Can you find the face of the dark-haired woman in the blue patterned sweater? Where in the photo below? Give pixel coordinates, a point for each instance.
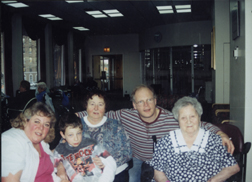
(95, 109)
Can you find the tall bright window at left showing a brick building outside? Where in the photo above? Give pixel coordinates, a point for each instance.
(30, 64)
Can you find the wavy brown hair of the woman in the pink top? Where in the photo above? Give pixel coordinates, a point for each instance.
(40, 109)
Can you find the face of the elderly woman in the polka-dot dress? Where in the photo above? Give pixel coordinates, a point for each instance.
(189, 120)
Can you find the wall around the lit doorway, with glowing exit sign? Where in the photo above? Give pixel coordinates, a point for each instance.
(127, 45)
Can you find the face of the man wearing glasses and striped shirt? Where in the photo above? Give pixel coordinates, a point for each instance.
(145, 104)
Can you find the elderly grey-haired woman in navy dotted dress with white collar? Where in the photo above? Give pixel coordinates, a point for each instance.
(191, 153)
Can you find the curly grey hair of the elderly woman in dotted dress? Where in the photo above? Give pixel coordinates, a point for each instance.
(185, 101)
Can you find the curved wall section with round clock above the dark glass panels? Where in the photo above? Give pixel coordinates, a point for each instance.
(178, 34)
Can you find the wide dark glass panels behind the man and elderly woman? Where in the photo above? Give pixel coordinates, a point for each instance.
(180, 70)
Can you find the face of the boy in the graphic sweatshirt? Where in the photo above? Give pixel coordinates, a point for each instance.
(72, 135)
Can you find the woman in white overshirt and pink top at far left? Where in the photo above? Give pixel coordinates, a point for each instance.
(25, 153)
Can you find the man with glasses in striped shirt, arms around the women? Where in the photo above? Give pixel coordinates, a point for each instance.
(145, 120)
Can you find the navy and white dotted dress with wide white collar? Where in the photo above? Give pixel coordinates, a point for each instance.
(206, 158)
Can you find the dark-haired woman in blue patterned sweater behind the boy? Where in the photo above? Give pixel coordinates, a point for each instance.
(108, 132)
